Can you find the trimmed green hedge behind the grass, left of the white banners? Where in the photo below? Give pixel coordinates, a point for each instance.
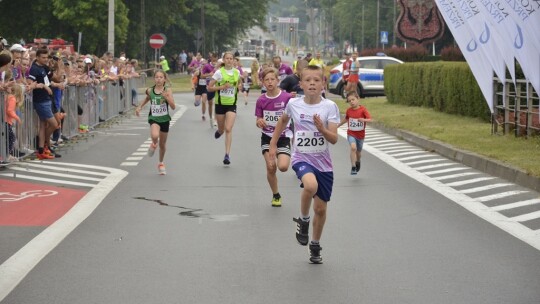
(445, 86)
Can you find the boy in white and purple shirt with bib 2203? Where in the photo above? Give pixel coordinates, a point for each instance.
(315, 124)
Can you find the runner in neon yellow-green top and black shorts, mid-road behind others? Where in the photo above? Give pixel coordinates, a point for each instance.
(226, 82)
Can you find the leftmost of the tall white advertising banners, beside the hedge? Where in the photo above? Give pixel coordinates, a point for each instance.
(479, 64)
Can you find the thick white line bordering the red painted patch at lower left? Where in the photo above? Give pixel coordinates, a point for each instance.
(14, 269)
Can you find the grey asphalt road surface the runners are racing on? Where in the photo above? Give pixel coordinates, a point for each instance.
(206, 233)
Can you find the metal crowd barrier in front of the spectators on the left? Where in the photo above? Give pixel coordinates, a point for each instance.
(103, 101)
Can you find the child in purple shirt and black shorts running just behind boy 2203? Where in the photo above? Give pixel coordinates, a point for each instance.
(268, 109)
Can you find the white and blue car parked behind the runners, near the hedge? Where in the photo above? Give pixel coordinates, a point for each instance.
(371, 76)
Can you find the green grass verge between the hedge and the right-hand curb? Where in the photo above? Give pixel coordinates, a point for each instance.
(464, 133)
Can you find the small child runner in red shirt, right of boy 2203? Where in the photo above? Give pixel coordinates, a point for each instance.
(356, 116)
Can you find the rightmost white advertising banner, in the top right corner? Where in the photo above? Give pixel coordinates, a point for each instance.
(521, 39)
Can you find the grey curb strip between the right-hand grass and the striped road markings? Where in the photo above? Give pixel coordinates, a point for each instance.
(473, 160)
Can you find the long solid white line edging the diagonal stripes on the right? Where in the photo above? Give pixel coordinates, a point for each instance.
(475, 205)
